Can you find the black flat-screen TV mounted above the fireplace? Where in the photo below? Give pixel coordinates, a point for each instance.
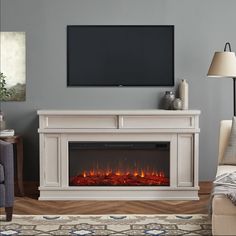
(127, 55)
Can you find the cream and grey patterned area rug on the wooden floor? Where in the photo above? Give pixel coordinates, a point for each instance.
(115, 225)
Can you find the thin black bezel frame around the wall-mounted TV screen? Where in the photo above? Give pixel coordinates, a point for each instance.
(120, 85)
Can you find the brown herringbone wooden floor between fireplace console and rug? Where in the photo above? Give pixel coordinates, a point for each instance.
(30, 205)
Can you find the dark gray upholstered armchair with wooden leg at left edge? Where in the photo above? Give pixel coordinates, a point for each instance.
(6, 178)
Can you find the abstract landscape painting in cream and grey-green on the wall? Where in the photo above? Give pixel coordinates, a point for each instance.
(12, 66)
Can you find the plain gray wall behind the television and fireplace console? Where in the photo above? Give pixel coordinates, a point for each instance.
(201, 27)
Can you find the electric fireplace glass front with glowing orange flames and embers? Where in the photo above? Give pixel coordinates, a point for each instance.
(119, 163)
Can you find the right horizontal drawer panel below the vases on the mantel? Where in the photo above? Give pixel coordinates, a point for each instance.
(153, 122)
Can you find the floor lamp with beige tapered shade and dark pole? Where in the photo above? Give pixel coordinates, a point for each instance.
(224, 65)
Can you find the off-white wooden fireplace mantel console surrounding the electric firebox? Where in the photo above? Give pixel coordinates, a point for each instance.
(58, 127)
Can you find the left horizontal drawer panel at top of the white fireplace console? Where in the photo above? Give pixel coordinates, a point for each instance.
(81, 122)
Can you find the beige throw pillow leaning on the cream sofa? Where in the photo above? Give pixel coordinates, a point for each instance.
(230, 151)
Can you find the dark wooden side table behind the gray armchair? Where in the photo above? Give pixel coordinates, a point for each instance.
(17, 140)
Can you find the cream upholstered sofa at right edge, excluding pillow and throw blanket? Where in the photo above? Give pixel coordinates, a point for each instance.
(223, 210)
